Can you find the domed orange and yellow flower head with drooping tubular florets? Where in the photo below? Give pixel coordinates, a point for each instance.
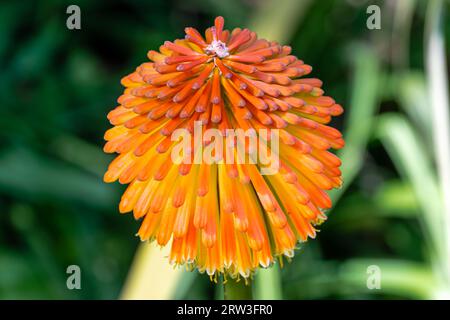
(224, 217)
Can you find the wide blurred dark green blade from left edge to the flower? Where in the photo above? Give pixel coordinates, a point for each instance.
(27, 175)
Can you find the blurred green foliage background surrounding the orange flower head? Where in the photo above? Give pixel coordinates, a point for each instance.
(57, 85)
